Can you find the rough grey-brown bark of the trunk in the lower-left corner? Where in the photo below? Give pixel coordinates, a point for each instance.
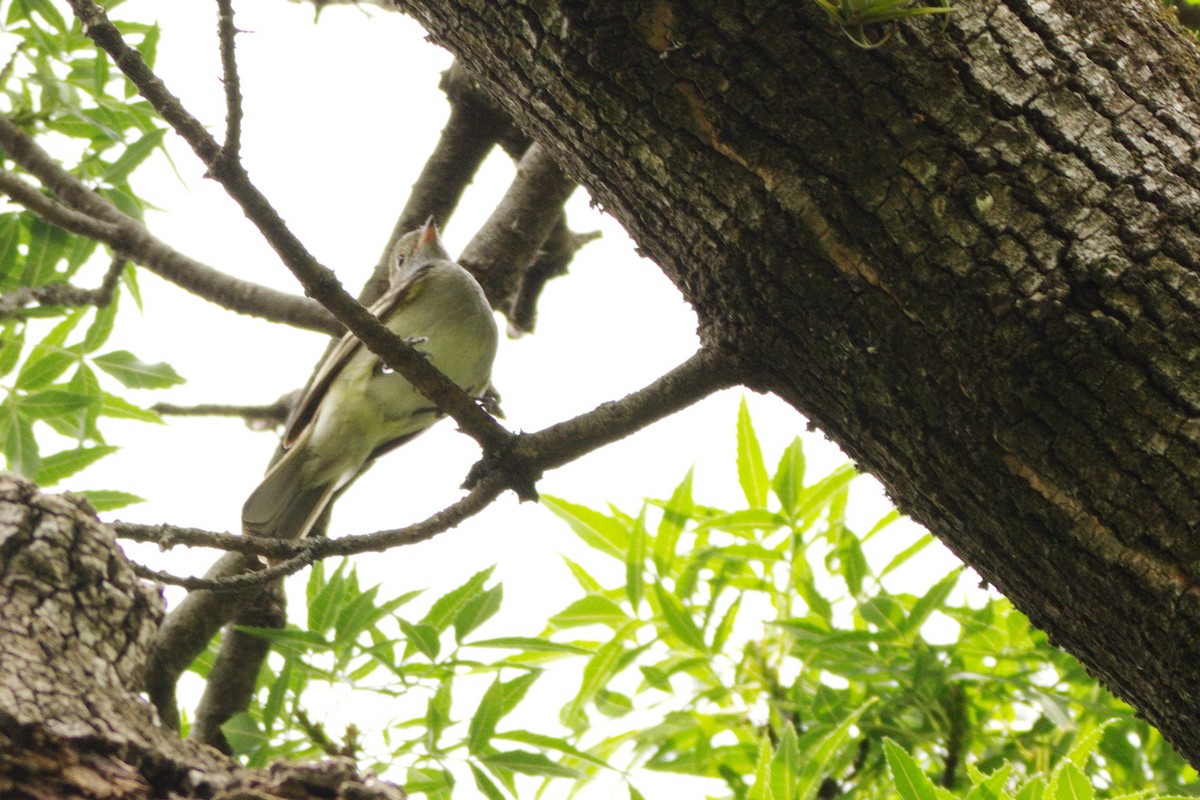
(76, 625)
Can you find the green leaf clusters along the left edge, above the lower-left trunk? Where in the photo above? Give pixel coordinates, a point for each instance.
(57, 88)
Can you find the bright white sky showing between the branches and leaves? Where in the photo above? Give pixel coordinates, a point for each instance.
(340, 118)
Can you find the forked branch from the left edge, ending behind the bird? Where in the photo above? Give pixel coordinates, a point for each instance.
(91, 215)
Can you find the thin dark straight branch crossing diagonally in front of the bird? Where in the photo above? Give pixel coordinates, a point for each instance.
(319, 281)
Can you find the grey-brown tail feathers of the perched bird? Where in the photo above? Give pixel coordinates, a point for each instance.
(281, 507)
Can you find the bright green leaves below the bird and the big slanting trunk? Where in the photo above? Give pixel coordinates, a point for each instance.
(759, 648)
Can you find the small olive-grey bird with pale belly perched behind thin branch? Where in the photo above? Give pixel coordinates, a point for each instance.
(356, 408)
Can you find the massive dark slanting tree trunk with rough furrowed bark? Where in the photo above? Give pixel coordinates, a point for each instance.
(969, 256)
